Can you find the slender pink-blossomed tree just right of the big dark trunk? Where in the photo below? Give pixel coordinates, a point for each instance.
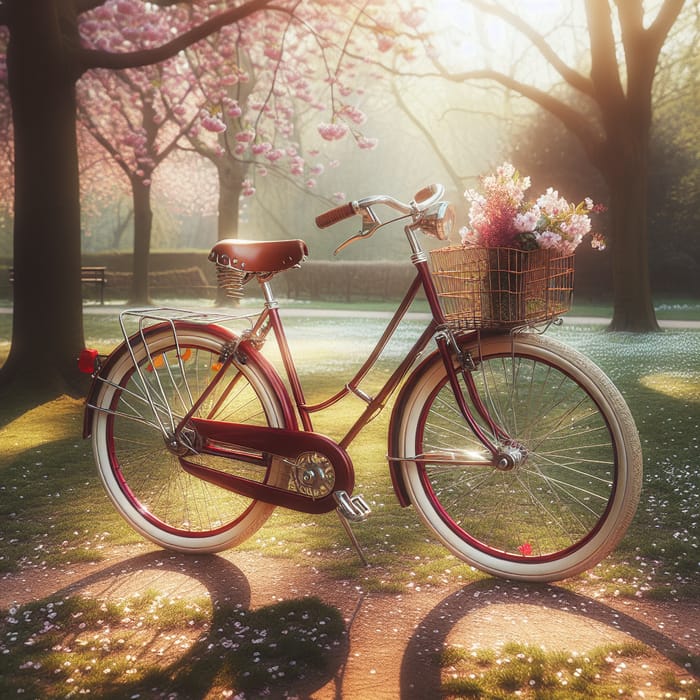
(135, 115)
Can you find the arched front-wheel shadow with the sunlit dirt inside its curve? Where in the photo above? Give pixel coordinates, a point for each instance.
(531, 614)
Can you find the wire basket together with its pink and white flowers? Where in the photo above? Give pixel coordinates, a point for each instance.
(516, 262)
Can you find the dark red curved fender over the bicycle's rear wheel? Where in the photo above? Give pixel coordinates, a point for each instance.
(253, 356)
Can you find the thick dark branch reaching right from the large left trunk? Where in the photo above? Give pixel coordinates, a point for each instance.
(102, 59)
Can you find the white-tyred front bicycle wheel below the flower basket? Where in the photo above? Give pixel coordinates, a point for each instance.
(568, 495)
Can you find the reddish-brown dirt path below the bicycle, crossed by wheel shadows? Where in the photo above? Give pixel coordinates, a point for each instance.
(392, 638)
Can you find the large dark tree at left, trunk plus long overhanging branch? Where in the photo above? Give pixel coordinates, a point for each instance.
(46, 56)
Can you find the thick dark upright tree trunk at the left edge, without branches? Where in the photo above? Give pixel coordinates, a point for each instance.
(47, 332)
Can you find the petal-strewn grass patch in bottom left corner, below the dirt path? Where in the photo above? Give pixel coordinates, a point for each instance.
(151, 646)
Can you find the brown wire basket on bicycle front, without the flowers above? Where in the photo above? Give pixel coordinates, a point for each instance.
(501, 287)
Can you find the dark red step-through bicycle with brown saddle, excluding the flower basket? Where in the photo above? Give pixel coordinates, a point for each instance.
(517, 452)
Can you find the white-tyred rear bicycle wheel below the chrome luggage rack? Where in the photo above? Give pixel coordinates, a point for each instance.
(140, 469)
